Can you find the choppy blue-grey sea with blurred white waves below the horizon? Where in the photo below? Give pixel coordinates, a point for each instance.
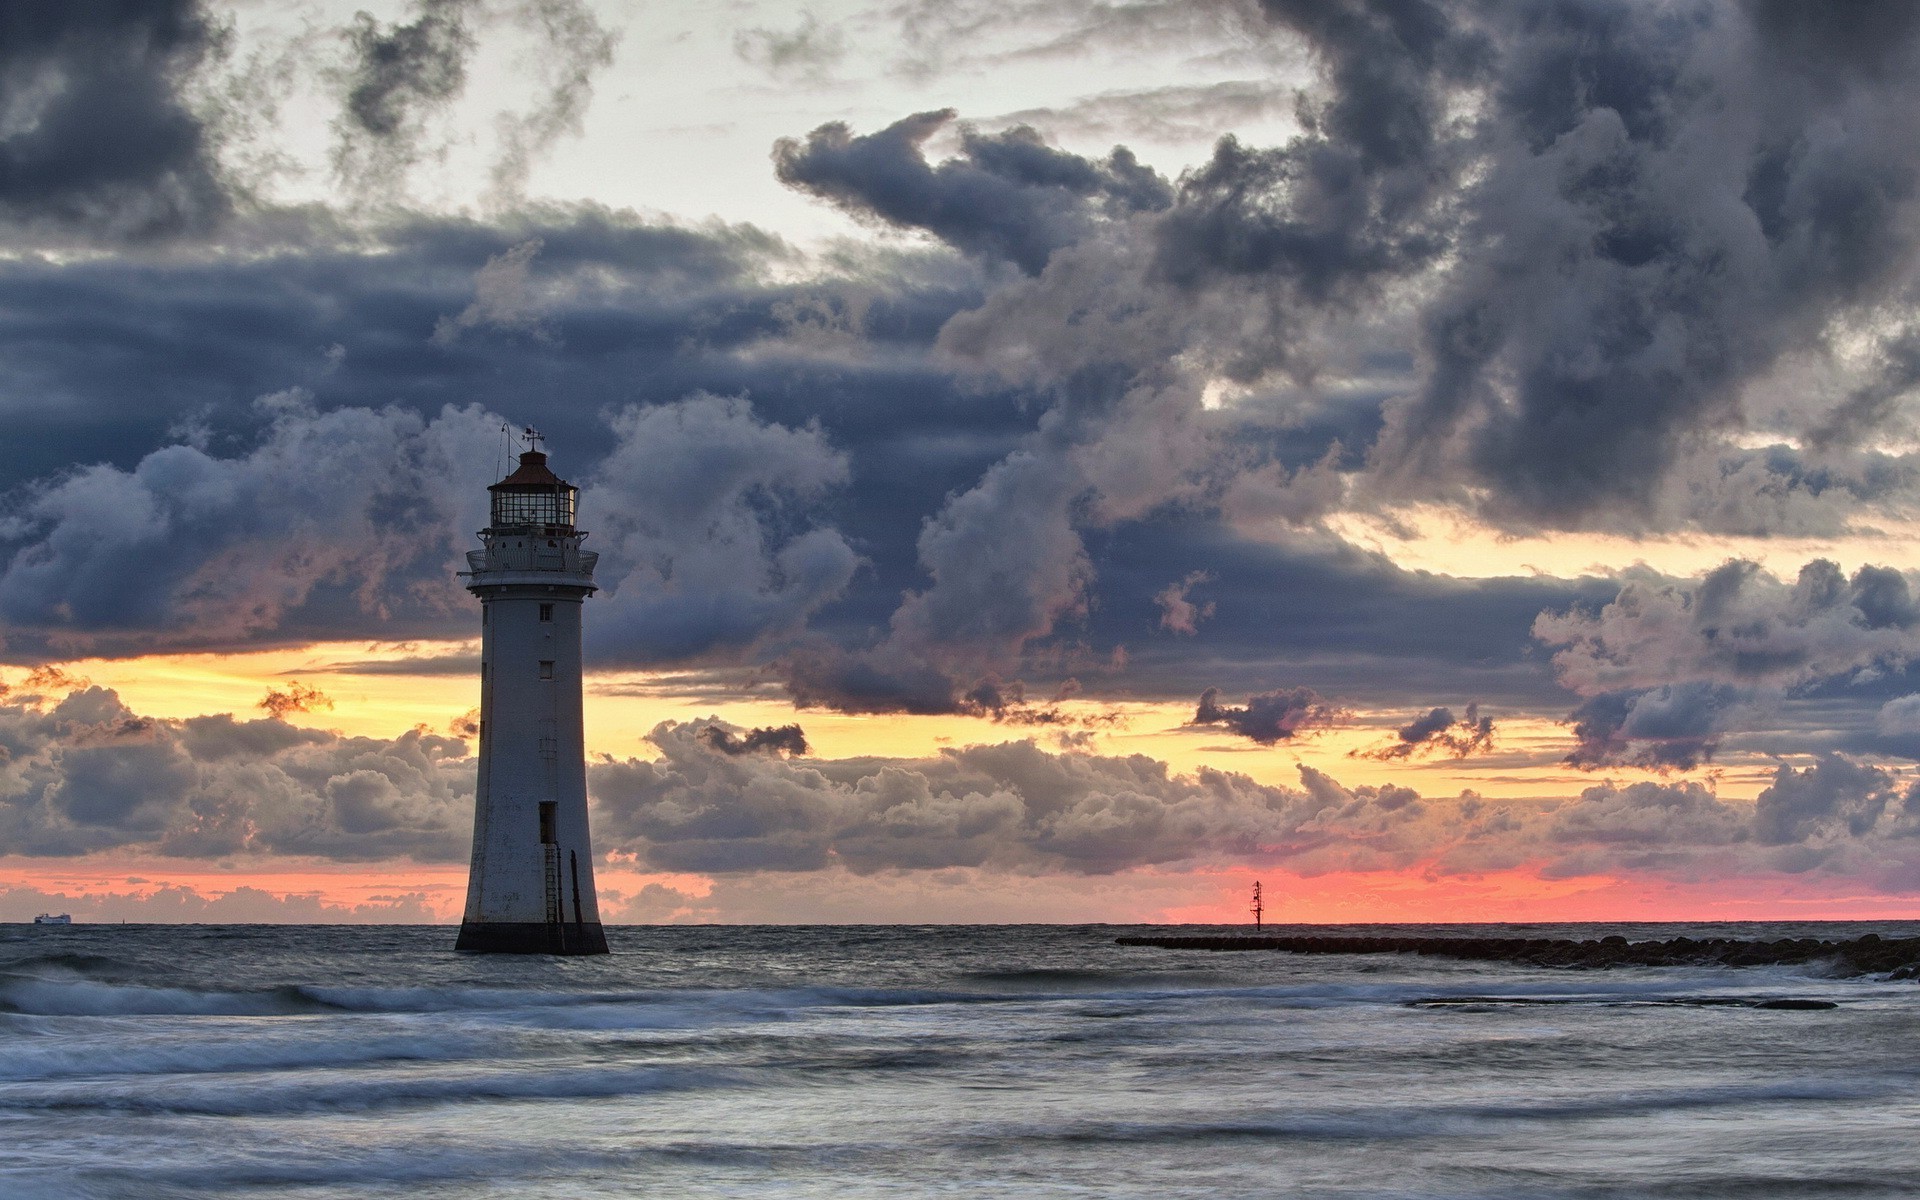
(1028, 1061)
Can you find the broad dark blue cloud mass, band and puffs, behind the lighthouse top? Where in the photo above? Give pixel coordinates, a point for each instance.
(322, 512)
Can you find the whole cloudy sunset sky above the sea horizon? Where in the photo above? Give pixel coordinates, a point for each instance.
(1051, 462)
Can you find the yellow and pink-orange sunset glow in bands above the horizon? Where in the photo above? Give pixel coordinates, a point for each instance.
(625, 708)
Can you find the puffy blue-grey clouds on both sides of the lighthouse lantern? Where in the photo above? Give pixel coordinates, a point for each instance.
(362, 517)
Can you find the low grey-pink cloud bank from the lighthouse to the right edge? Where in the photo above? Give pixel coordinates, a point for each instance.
(1015, 807)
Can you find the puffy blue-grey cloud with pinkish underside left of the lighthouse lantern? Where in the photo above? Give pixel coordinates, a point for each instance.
(350, 510)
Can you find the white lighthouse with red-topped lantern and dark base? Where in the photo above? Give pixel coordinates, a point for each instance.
(531, 888)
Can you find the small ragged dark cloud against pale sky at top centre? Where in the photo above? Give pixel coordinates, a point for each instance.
(1007, 197)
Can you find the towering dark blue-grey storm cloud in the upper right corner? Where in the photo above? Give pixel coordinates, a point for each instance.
(1671, 201)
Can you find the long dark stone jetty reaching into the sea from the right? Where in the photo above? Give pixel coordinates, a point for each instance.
(1871, 955)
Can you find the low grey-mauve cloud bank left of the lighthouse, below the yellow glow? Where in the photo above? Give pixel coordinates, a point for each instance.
(87, 775)
